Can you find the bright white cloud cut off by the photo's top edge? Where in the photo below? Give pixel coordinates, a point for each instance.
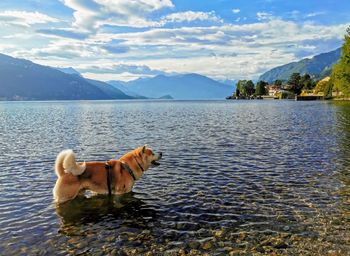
(90, 15)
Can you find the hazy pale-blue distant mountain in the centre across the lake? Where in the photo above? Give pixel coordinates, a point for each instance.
(188, 86)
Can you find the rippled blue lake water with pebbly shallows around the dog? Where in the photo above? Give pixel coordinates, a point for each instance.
(237, 177)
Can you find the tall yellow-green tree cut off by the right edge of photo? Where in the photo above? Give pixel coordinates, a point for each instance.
(341, 71)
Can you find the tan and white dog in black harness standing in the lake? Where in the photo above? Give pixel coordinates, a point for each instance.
(111, 177)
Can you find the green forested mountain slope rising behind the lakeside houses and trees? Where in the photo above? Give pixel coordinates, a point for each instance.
(319, 66)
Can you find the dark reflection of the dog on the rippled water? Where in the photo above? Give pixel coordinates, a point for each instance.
(108, 211)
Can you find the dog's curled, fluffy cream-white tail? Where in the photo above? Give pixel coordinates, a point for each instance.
(66, 163)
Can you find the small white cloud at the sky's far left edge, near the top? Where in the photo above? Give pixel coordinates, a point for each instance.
(24, 18)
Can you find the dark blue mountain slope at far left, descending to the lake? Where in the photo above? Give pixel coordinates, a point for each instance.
(24, 80)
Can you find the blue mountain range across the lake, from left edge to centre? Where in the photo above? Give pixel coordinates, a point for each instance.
(24, 80)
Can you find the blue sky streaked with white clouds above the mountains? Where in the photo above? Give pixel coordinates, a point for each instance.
(129, 39)
